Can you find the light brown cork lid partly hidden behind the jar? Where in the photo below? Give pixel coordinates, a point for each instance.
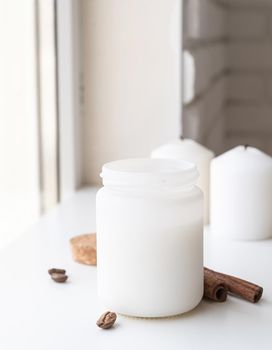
(84, 248)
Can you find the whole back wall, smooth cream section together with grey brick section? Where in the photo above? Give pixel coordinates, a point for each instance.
(132, 76)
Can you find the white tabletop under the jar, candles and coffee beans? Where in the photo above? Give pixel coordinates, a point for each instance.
(38, 314)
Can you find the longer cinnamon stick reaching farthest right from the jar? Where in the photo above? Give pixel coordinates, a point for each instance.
(236, 286)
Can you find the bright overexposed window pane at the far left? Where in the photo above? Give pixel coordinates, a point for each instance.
(19, 178)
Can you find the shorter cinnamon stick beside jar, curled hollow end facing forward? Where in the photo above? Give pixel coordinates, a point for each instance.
(214, 288)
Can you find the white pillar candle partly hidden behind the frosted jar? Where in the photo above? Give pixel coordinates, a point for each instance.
(191, 151)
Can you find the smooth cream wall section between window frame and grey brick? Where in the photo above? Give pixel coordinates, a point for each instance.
(132, 78)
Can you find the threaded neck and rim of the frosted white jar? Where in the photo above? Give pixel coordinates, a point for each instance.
(149, 172)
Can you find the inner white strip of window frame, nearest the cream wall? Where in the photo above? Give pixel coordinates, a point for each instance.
(70, 94)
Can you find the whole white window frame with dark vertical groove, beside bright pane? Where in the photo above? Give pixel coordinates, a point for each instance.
(60, 92)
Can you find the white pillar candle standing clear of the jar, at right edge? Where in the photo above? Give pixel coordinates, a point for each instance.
(241, 194)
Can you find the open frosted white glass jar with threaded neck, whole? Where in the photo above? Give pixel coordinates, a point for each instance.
(150, 237)
